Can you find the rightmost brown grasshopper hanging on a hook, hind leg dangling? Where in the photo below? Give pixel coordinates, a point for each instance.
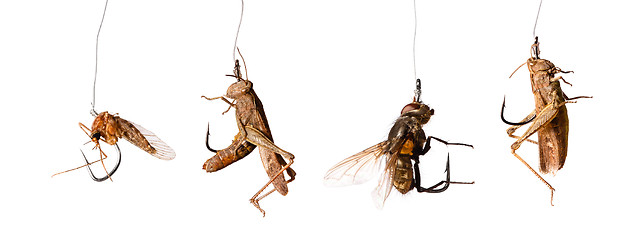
(550, 116)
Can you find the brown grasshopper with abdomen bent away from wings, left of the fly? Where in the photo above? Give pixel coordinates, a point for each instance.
(254, 131)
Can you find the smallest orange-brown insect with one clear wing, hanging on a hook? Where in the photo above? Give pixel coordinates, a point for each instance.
(109, 128)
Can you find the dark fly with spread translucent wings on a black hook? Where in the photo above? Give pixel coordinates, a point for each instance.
(406, 142)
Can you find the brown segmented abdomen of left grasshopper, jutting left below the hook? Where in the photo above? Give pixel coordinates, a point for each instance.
(228, 155)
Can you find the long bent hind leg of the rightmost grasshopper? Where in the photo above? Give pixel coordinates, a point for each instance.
(543, 118)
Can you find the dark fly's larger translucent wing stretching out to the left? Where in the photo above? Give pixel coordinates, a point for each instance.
(356, 169)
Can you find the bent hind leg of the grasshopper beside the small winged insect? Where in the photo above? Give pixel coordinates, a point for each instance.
(256, 137)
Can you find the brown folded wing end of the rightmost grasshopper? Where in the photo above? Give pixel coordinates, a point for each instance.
(553, 142)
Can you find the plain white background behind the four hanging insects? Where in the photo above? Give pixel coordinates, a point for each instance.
(333, 76)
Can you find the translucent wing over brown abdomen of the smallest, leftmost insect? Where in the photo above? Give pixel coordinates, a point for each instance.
(145, 139)
